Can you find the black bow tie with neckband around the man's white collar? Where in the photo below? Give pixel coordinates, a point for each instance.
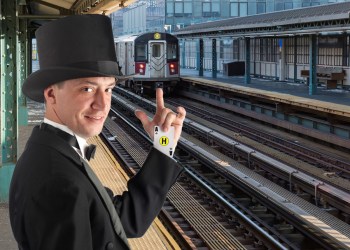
(72, 140)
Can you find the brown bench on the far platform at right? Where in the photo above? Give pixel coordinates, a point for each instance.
(331, 74)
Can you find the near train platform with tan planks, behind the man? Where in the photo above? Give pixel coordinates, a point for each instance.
(109, 172)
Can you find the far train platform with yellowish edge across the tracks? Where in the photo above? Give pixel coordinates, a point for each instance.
(298, 92)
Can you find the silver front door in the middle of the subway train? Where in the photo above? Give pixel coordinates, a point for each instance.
(157, 58)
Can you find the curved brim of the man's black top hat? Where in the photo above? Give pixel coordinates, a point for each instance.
(37, 82)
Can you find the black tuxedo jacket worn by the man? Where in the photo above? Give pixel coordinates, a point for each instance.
(54, 205)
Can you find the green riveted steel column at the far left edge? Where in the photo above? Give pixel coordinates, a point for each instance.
(9, 130)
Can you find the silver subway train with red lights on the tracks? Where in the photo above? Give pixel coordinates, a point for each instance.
(152, 59)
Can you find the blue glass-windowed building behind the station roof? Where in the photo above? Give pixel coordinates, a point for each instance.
(171, 15)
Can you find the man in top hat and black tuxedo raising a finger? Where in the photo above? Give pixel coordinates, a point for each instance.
(56, 201)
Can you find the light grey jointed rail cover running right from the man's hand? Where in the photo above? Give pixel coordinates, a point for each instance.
(325, 195)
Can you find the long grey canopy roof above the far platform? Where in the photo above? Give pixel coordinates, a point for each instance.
(331, 19)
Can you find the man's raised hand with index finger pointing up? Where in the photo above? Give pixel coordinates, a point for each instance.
(164, 118)
